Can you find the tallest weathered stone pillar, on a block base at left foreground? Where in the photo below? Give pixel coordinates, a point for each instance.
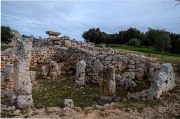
(22, 96)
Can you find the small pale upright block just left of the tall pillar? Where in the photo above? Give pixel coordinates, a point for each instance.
(8, 72)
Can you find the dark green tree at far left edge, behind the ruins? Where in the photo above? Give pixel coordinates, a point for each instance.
(6, 34)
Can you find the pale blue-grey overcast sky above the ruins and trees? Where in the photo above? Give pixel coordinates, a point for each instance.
(72, 18)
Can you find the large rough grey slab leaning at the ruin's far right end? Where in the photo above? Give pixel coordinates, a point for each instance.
(163, 81)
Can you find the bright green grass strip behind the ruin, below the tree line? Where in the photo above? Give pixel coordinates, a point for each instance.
(168, 57)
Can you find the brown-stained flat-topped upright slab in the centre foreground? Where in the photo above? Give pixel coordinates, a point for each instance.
(107, 84)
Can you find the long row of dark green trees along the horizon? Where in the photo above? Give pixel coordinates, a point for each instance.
(157, 38)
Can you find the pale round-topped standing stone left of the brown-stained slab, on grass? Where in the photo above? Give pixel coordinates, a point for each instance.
(80, 73)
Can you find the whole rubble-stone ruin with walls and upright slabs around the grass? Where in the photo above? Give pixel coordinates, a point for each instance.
(101, 66)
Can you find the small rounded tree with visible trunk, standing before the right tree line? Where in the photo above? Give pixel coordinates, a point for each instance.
(162, 42)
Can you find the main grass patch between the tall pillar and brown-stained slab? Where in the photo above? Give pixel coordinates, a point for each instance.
(51, 93)
